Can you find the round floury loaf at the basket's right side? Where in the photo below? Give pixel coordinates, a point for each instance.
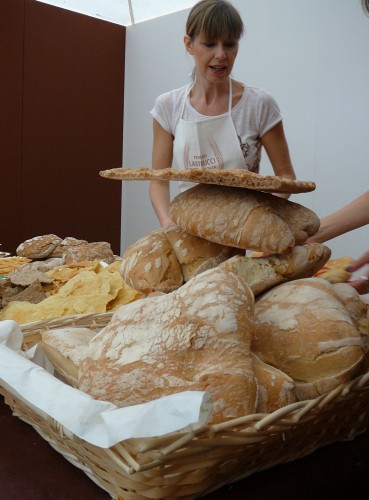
(303, 328)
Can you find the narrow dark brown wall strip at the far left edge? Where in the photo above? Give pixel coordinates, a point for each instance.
(11, 70)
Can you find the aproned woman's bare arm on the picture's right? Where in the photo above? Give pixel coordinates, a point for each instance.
(276, 146)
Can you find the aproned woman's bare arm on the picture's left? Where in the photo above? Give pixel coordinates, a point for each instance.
(162, 154)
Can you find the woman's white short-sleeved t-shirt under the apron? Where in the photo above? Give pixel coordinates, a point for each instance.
(253, 116)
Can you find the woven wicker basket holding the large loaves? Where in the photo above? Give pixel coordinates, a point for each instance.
(188, 465)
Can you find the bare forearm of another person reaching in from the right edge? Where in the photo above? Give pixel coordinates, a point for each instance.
(350, 217)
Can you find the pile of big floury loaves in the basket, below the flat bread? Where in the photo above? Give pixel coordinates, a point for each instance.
(256, 333)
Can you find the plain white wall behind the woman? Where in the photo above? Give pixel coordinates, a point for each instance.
(312, 55)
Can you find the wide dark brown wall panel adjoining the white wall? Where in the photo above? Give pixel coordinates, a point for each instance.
(72, 125)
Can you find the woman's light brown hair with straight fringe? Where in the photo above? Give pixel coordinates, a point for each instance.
(216, 19)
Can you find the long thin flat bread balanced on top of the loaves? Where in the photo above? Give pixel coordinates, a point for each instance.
(237, 178)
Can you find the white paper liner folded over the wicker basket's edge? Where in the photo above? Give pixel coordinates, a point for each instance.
(100, 423)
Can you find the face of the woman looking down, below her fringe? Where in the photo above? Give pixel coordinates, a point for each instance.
(214, 59)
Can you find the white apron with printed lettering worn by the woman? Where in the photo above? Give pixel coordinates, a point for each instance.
(207, 144)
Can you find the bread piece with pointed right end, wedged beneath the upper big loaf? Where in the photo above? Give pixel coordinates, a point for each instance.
(262, 273)
